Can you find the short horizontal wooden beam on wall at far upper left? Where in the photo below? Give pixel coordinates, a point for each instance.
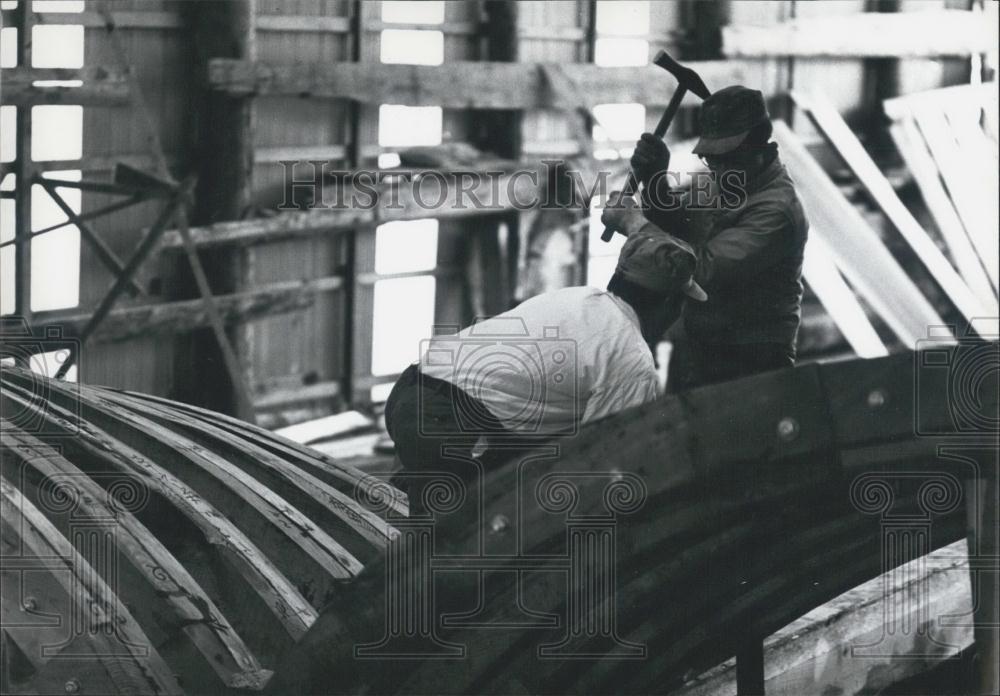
(102, 86)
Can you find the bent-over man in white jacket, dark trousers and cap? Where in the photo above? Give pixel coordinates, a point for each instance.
(555, 361)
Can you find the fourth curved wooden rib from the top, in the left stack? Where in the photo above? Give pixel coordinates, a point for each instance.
(282, 598)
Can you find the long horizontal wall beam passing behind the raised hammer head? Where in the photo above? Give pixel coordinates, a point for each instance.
(464, 85)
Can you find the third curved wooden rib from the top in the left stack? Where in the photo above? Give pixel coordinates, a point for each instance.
(230, 488)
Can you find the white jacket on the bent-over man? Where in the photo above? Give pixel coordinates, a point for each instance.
(556, 360)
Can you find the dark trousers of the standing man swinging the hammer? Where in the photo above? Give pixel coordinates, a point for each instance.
(695, 364)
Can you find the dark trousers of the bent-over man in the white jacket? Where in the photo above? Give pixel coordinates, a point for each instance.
(435, 426)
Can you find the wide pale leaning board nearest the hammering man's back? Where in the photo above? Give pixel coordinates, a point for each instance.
(856, 248)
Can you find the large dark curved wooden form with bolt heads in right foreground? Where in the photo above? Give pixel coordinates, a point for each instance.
(743, 483)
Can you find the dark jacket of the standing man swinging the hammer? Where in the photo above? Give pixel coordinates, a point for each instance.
(749, 259)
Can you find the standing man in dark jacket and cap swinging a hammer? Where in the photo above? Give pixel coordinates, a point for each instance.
(749, 233)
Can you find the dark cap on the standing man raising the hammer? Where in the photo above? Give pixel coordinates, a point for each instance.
(727, 117)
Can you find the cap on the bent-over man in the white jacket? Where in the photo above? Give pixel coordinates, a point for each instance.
(660, 262)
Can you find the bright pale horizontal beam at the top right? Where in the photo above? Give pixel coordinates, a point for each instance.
(923, 34)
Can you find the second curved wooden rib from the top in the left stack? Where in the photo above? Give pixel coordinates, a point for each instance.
(365, 523)
